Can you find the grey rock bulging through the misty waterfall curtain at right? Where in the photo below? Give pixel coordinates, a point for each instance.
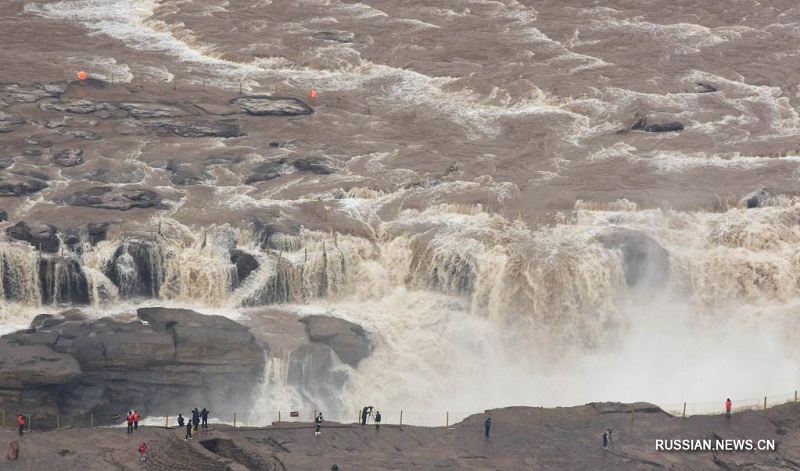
(646, 262)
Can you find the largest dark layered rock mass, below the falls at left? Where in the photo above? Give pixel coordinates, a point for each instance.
(164, 360)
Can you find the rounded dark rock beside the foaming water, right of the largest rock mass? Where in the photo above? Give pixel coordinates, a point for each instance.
(348, 340)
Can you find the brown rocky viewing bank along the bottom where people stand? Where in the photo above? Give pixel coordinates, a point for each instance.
(520, 438)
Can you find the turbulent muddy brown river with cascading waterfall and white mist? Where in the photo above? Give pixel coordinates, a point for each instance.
(523, 203)
